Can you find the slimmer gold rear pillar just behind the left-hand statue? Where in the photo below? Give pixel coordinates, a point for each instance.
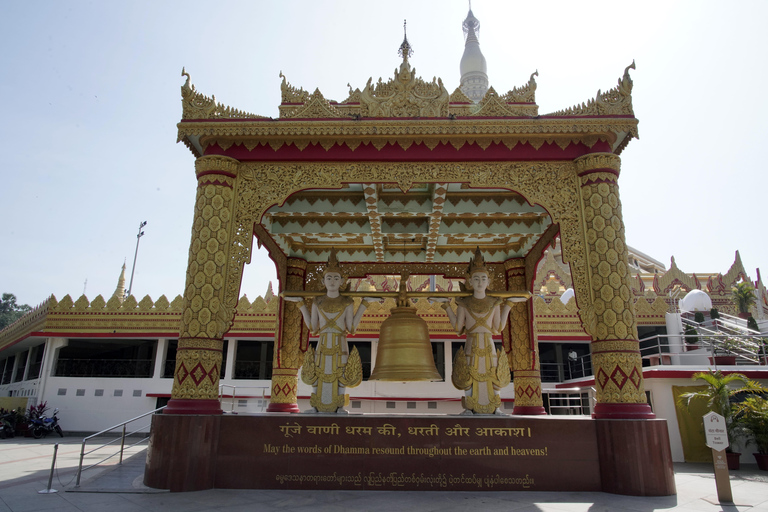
(290, 345)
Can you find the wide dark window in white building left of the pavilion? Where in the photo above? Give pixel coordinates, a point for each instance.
(113, 358)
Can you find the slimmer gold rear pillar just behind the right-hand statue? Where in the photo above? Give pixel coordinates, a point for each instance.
(524, 353)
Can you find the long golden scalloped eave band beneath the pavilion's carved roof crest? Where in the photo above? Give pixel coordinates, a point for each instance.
(431, 132)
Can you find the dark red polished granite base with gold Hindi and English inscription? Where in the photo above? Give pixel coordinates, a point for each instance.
(367, 452)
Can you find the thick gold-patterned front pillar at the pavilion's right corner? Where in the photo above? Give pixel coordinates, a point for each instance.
(607, 311)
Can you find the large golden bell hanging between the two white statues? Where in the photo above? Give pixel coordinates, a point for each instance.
(405, 352)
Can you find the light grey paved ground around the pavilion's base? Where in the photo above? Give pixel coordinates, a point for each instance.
(25, 467)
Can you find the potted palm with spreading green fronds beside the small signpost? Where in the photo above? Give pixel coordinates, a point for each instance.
(718, 394)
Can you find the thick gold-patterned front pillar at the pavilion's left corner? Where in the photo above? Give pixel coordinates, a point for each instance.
(214, 272)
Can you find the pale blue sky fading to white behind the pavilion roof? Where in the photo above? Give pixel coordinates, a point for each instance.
(91, 94)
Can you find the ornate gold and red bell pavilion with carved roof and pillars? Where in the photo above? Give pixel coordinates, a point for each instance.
(386, 165)
